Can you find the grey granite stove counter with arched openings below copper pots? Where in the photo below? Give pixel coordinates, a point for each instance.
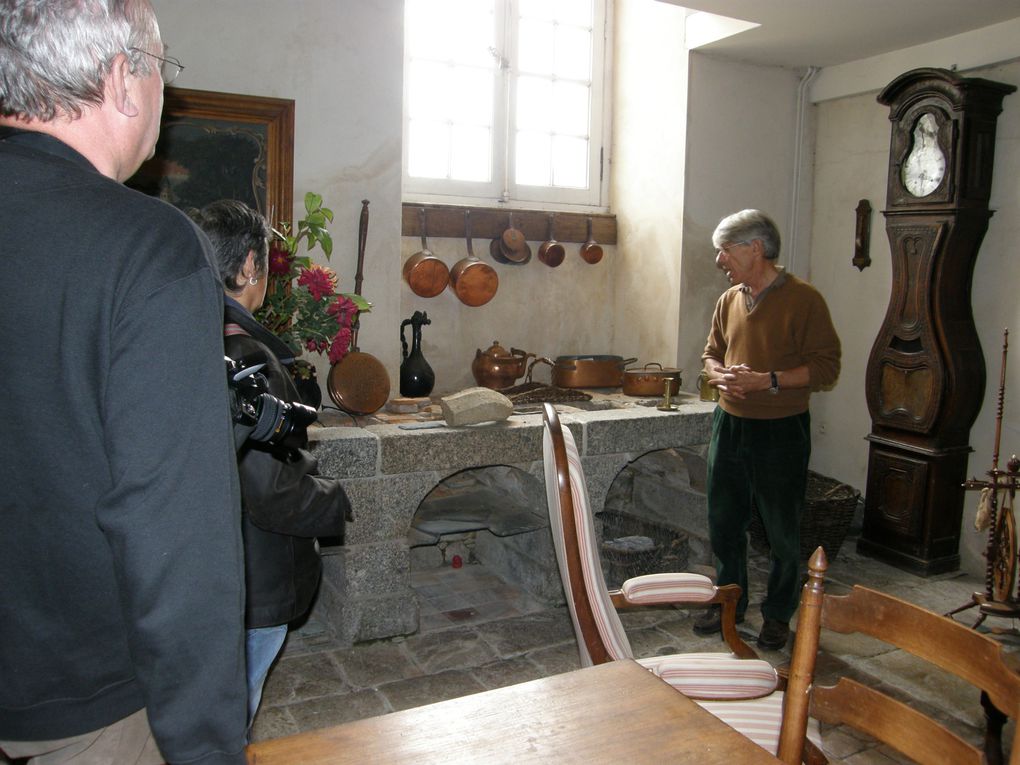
(388, 472)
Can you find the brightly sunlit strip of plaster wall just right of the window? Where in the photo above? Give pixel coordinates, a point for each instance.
(650, 99)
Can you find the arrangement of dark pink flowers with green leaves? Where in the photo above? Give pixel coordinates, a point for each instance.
(302, 304)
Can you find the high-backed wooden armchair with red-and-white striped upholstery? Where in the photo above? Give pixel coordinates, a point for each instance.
(737, 687)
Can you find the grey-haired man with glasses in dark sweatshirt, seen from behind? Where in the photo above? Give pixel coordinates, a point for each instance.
(121, 620)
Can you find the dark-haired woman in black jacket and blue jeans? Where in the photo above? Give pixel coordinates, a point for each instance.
(287, 504)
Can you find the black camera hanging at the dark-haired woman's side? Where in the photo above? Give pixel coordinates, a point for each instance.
(261, 417)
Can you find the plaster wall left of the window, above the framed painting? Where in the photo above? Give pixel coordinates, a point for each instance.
(342, 63)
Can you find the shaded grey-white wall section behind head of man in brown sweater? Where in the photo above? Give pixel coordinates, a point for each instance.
(740, 154)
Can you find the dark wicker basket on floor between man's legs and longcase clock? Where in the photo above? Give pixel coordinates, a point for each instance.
(829, 512)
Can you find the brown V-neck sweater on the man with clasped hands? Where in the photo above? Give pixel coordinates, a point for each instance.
(788, 328)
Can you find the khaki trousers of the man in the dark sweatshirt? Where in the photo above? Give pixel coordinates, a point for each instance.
(128, 742)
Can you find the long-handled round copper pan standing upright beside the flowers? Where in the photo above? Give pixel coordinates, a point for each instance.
(359, 384)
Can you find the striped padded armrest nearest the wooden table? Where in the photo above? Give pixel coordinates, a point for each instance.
(708, 676)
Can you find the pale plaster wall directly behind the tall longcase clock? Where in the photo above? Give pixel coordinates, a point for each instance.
(851, 165)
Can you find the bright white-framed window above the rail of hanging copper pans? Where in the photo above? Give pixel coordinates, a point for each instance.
(504, 101)
